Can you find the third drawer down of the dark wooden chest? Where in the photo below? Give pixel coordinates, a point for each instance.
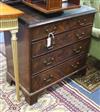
(46, 61)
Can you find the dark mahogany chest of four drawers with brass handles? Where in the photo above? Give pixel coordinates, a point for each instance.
(51, 48)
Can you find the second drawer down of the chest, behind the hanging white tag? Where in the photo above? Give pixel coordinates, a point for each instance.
(40, 47)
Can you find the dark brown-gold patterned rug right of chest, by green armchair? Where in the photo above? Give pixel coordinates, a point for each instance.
(91, 80)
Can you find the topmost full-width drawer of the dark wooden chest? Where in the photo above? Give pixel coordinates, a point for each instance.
(60, 26)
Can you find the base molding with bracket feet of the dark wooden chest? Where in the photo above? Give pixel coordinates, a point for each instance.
(31, 98)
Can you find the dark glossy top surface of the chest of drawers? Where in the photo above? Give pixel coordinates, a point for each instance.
(34, 18)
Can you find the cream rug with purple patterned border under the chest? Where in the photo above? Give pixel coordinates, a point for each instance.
(63, 98)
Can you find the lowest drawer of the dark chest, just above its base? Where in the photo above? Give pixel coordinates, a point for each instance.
(52, 75)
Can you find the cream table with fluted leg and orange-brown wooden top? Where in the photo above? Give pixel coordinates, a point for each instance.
(9, 22)
